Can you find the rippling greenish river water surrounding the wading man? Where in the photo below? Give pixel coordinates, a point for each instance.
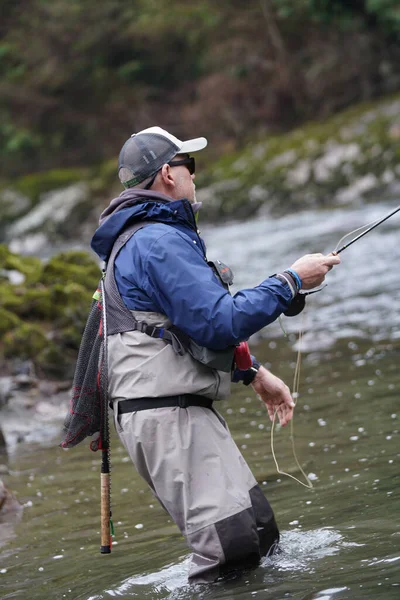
(340, 539)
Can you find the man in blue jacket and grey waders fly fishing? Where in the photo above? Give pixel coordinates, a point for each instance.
(172, 331)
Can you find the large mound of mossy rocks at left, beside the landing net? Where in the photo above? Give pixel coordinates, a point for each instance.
(43, 316)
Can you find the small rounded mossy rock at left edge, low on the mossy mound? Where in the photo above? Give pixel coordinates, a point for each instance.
(25, 342)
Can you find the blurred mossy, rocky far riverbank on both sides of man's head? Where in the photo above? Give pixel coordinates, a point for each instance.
(343, 160)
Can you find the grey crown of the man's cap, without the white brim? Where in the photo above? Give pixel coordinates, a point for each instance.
(143, 155)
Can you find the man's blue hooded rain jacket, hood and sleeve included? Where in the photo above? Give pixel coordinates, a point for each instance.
(163, 268)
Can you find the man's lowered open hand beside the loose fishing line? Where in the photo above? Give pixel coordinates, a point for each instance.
(275, 394)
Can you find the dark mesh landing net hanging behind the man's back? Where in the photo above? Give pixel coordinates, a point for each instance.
(87, 403)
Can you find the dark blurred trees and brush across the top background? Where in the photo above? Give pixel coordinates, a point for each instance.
(78, 76)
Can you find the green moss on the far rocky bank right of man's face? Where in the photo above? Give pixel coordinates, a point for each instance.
(264, 162)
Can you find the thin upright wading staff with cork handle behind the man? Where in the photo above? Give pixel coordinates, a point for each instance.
(104, 445)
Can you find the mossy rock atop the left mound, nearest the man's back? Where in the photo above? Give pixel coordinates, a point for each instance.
(74, 266)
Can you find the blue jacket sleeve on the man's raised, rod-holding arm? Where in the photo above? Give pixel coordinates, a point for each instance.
(174, 273)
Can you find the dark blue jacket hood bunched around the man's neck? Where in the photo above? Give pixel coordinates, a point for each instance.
(137, 205)
